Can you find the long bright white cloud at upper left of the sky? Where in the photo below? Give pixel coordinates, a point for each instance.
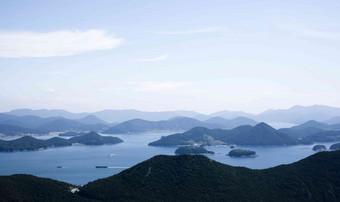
(16, 44)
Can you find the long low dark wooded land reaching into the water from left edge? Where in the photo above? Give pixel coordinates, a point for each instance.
(30, 143)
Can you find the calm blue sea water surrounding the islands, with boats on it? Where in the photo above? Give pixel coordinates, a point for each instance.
(79, 161)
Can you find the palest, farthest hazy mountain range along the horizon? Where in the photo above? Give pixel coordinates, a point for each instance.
(296, 114)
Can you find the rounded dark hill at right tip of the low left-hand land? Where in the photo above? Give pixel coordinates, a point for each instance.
(94, 138)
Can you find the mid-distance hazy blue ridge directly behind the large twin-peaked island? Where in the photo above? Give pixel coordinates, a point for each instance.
(176, 124)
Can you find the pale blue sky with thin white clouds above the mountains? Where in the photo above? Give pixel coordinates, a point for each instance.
(154, 55)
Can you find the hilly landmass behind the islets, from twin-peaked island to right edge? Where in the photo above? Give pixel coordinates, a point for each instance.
(260, 134)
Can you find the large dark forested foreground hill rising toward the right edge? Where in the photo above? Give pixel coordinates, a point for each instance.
(198, 178)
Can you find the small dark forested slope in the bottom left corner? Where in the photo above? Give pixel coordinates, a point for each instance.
(29, 188)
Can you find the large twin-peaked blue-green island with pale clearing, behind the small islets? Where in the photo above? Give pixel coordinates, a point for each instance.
(261, 134)
